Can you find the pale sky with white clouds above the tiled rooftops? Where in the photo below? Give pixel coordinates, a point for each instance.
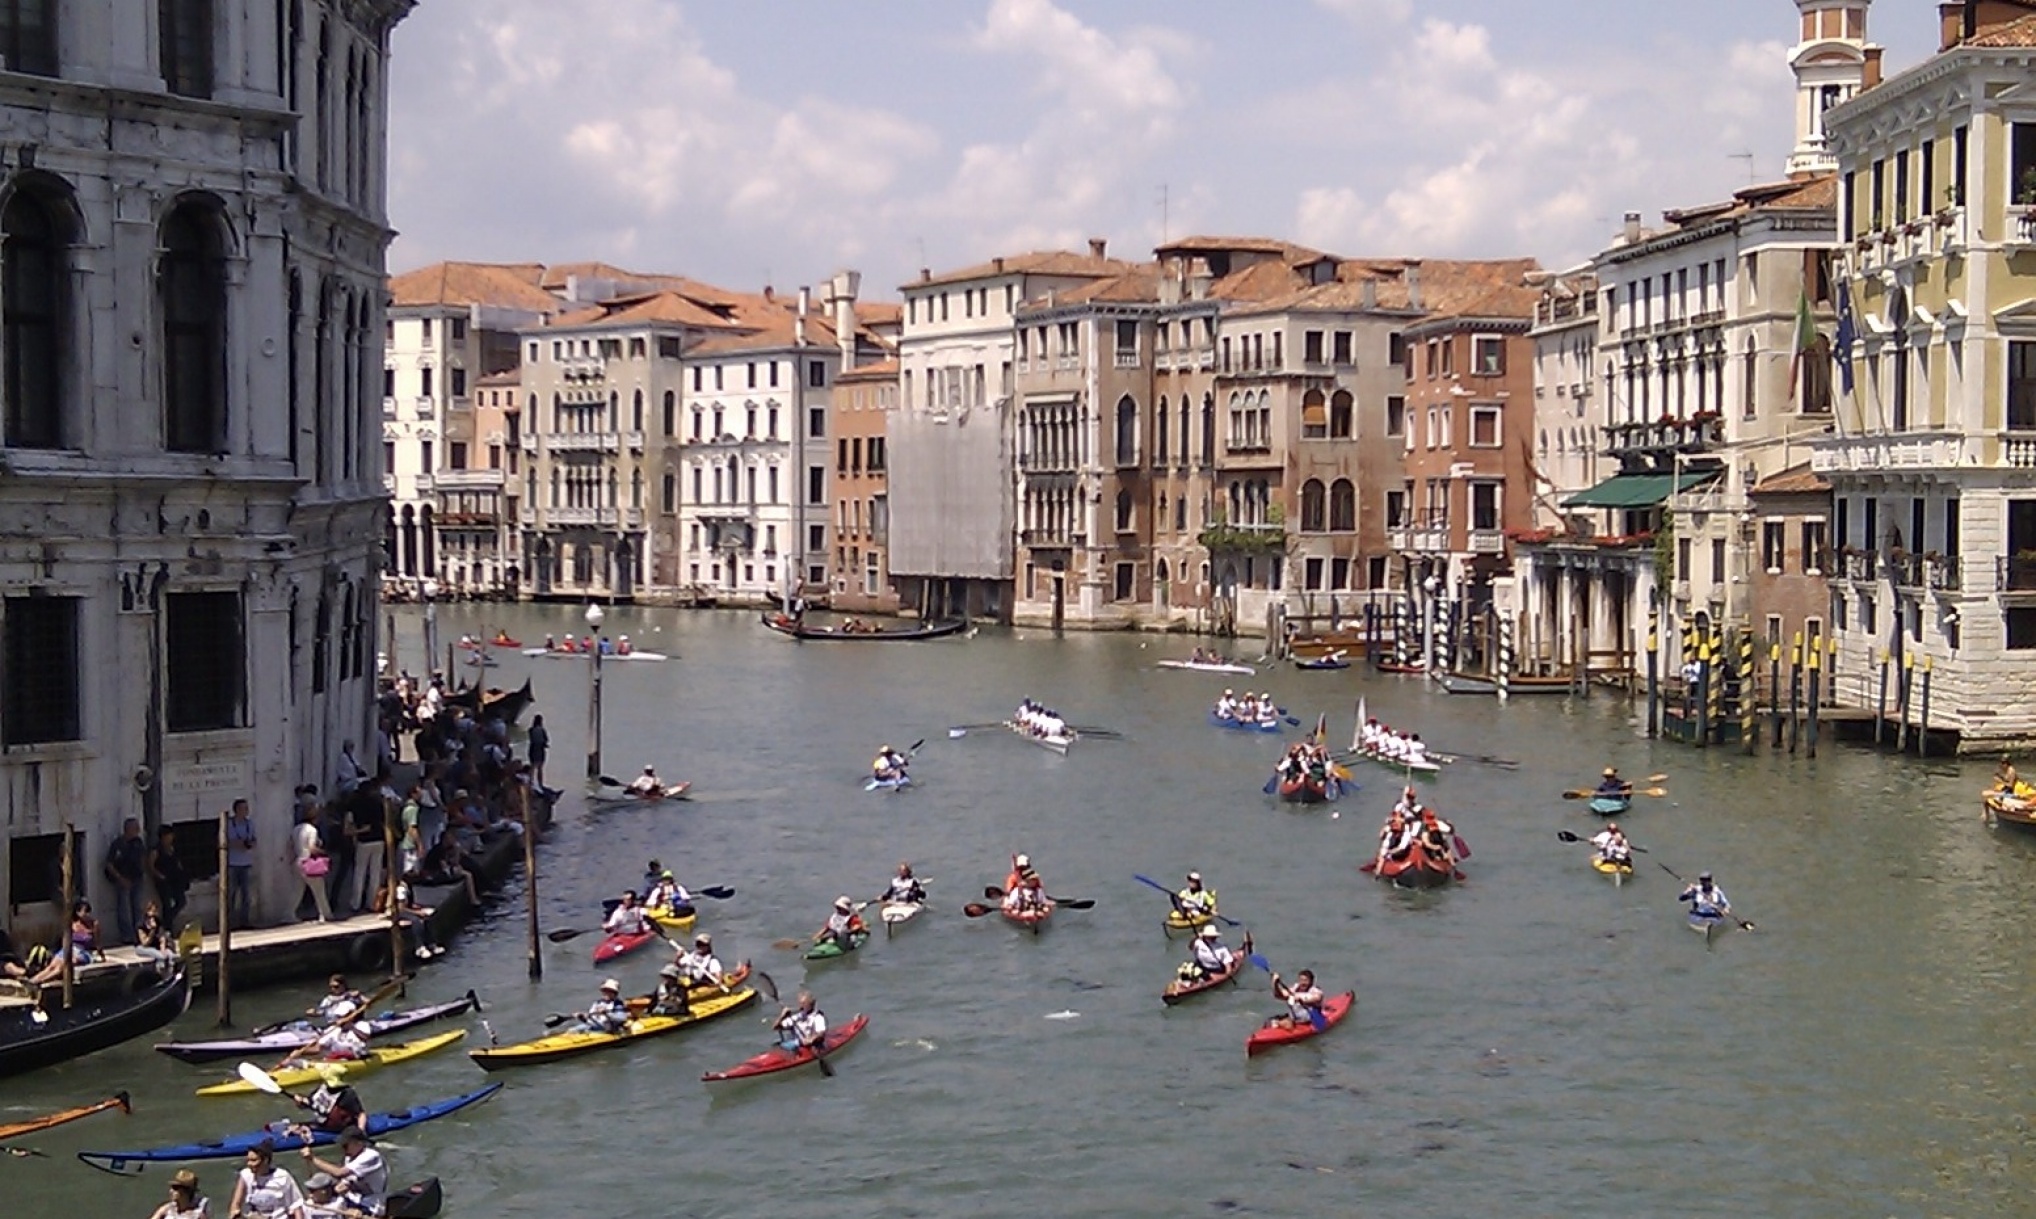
(775, 141)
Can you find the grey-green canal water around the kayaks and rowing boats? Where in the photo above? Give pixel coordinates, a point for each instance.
(1530, 1043)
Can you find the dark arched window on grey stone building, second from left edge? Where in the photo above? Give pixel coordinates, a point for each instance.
(192, 300)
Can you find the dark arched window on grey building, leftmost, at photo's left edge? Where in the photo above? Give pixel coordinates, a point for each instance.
(32, 290)
